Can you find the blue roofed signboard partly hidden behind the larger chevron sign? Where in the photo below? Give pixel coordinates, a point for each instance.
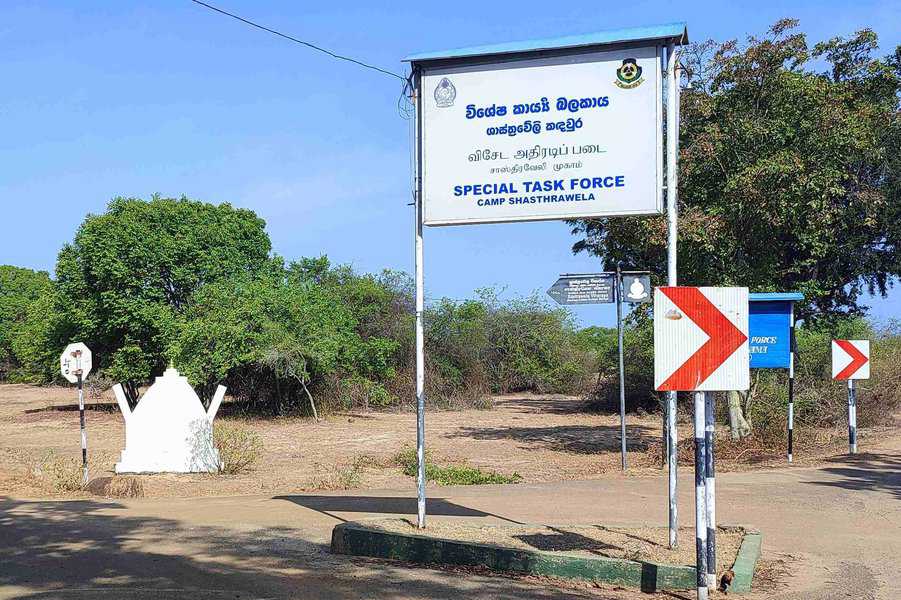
(769, 324)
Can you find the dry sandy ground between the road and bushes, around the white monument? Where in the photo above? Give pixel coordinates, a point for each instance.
(542, 438)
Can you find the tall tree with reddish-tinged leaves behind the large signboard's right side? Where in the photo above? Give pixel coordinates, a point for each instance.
(789, 176)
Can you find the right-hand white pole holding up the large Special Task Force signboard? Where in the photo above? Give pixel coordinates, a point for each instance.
(672, 215)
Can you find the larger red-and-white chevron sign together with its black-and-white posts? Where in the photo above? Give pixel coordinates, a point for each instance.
(701, 345)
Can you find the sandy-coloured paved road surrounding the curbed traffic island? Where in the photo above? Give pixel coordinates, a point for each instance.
(841, 525)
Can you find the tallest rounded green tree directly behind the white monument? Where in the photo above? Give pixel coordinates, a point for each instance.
(130, 273)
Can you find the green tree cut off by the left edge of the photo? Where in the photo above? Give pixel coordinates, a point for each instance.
(20, 289)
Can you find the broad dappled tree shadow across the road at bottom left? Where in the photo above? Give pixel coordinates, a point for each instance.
(89, 549)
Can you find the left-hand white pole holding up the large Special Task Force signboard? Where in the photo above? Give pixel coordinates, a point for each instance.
(420, 307)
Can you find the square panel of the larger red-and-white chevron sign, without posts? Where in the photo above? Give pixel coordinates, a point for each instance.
(701, 339)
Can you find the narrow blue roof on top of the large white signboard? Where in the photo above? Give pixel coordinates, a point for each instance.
(675, 32)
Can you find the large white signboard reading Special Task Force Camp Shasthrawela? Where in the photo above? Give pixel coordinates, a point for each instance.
(552, 138)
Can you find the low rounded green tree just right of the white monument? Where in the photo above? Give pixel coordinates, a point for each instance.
(269, 339)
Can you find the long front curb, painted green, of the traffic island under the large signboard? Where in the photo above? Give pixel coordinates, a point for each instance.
(359, 540)
